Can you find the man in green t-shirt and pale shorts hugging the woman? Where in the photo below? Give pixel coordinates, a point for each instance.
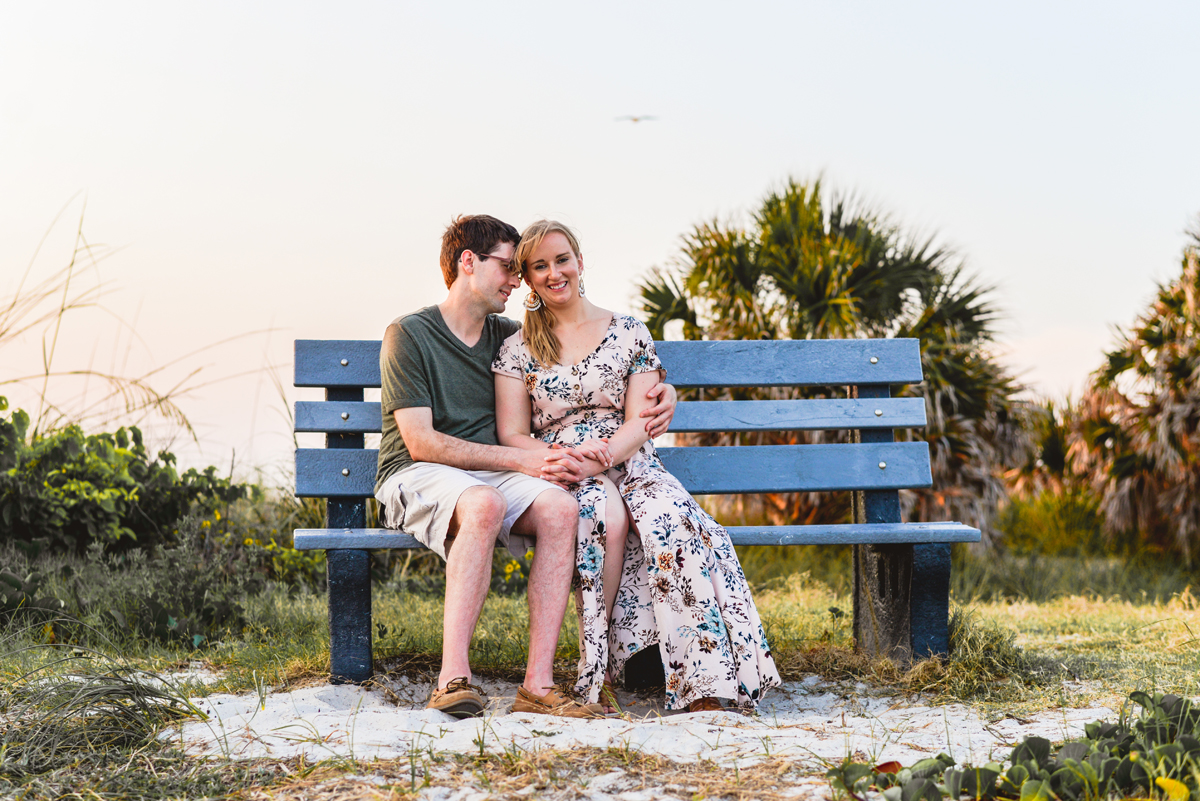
(445, 480)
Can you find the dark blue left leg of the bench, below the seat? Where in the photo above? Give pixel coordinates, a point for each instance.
(350, 616)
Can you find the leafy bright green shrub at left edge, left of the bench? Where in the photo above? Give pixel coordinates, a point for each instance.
(71, 490)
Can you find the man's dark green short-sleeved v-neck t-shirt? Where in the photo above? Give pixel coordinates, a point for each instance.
(423, 364)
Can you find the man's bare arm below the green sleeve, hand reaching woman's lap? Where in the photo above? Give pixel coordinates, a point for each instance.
(429, 445)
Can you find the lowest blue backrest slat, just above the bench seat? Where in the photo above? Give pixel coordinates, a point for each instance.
(703, 471)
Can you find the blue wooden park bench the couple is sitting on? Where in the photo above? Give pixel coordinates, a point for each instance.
(902, 570)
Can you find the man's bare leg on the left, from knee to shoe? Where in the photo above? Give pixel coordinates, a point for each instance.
(477, 522)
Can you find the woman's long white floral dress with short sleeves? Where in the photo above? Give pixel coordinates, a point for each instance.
(682, 586)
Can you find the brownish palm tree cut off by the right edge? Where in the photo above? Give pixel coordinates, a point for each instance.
(1137, 437)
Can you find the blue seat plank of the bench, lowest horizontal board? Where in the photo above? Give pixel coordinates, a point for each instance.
(742, 535)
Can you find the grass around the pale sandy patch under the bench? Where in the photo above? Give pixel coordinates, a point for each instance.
(79, 721)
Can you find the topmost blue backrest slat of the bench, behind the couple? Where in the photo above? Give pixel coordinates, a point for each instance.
(800, 363)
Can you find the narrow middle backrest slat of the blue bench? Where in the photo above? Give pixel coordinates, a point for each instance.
(837, 414)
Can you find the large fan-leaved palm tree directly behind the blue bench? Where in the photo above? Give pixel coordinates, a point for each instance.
(814, 267)
